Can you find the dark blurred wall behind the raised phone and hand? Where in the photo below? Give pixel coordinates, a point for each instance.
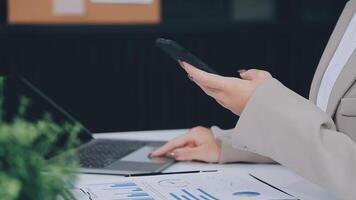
(112, 78)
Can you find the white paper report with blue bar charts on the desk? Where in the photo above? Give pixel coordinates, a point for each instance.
(200, 186)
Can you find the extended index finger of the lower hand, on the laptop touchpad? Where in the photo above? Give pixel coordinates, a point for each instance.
(171, 145)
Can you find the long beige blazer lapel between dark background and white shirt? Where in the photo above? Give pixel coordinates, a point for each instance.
(331, 48)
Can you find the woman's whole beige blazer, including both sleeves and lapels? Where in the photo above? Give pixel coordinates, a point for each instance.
(289, 129)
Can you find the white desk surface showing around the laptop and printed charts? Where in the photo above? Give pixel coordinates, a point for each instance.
(276, 175)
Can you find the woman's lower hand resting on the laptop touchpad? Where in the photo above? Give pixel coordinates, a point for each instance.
(198, 144)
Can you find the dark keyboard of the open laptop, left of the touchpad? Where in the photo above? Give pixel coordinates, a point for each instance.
(101, 153)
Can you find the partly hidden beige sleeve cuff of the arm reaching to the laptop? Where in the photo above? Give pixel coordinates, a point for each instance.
(230, 154)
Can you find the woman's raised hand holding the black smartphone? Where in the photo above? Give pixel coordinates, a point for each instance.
(230, 92)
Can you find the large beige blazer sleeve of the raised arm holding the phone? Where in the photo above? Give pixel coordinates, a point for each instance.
(293, 131)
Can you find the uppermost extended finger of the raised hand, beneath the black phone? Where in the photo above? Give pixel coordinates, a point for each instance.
(204, 78)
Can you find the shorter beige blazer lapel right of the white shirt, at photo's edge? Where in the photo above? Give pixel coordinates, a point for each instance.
(345, 80)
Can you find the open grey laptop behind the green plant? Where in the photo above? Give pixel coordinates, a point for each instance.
(98, 156)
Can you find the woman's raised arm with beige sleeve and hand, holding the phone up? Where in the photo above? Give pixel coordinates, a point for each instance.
(282, 125)
